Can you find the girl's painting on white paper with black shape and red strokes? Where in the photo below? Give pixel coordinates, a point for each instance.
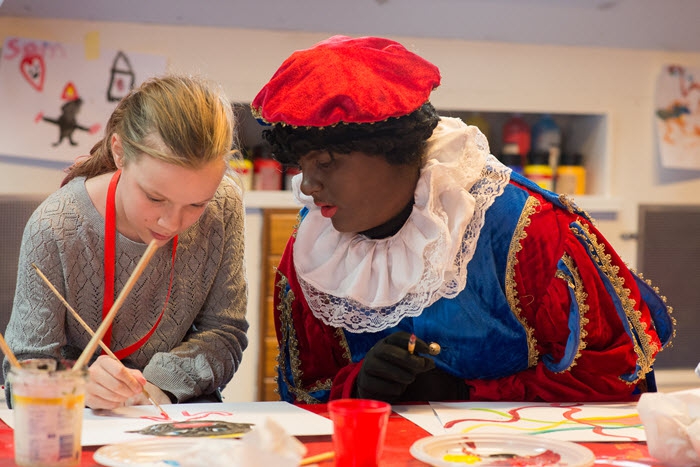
(216, 420)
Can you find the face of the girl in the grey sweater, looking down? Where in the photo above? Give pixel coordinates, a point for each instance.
(158, 200)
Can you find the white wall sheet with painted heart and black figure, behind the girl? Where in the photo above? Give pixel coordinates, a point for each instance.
(56, 98)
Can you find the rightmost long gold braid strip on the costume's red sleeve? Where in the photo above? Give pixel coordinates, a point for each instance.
(644, 349)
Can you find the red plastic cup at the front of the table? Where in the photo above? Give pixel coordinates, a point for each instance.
(359, 429)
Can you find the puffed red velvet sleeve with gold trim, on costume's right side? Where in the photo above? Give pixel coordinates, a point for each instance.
(591, 334)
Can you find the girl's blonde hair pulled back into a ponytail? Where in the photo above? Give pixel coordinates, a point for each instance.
(191, 117)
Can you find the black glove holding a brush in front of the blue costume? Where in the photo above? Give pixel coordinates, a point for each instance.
(389, 368)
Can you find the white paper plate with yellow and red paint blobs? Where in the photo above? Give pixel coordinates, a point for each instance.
(500, 450)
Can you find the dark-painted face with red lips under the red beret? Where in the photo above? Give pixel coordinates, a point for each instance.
(357, 191)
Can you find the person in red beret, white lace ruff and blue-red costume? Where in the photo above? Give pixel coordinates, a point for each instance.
(410, 227)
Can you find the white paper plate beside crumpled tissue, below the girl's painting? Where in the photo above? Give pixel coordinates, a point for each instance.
(159, 452)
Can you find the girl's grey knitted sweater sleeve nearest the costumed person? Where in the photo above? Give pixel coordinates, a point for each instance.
(212, 350)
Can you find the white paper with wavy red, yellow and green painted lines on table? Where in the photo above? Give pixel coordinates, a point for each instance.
(581, 422)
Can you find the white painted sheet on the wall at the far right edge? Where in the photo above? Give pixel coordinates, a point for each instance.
(677, 116)
